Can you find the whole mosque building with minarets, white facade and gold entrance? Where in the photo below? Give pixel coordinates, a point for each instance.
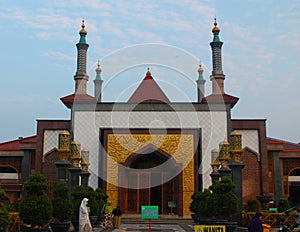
(137, 161)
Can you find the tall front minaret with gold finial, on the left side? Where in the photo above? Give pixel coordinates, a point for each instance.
(81, 78)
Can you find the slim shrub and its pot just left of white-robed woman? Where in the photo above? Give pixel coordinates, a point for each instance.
(62, 208)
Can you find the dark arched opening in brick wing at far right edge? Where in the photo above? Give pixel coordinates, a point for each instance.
(294, 186)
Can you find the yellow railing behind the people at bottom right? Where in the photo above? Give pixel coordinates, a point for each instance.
(270, 218)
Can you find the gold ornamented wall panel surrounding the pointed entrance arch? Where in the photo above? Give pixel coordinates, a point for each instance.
(179, 146)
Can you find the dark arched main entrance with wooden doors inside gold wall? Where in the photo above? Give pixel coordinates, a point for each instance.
(148, 184)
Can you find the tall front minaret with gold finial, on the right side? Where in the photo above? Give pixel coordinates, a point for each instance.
(217, 77)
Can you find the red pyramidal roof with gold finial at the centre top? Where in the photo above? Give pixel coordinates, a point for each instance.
(148, 91)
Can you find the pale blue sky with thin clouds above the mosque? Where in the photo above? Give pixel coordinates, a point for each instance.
(261, 55)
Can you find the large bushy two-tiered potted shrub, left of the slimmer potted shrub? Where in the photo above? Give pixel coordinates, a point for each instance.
(36, 207)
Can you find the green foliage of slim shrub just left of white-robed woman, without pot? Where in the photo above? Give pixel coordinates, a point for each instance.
(62, 205)
